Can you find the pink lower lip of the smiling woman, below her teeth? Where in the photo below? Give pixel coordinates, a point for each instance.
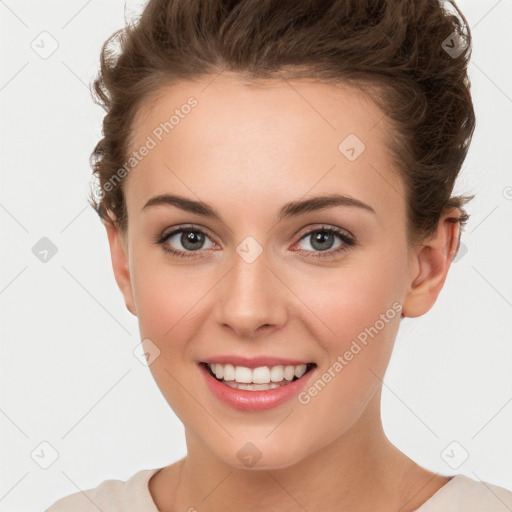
(245, 400)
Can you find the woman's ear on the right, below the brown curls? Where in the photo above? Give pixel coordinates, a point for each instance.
(430, 263)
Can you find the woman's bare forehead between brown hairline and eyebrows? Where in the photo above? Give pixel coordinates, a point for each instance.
(261, 140)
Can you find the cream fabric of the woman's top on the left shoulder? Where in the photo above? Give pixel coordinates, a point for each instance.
(112, 495)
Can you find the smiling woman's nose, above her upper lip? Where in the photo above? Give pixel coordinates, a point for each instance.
(251, 299)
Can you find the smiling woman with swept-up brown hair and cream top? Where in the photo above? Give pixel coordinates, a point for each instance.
(240, 139)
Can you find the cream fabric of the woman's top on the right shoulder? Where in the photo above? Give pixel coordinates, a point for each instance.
(463, 494)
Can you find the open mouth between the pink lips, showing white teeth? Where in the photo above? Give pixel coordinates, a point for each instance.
(267, 377)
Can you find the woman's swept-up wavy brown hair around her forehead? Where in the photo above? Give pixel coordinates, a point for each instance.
(411, 57)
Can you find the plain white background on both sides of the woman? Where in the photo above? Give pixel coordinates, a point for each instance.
(75, 398)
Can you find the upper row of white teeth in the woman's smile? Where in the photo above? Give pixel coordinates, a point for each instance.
(260, 375)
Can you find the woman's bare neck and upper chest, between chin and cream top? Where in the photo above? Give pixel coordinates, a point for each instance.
(358, 471)
